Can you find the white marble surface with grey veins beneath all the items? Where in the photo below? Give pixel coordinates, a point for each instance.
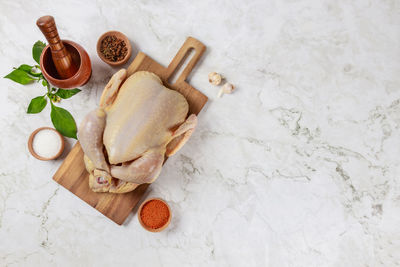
(299, 167)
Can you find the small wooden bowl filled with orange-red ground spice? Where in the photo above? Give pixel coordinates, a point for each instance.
(154, 215)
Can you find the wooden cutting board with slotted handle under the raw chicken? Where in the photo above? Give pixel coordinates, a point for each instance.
(72, 173)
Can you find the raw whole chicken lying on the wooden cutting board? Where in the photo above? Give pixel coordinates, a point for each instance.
(138, 122)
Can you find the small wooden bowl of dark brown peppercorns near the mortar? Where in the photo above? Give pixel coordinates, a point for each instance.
(114, 48)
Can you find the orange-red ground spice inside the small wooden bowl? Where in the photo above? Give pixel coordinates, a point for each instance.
(154, 214)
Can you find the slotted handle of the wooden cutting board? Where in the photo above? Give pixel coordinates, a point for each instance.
(184, 51)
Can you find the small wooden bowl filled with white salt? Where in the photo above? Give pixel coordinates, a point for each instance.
(46, 143)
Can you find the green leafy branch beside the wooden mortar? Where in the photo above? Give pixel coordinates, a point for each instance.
(26, 74)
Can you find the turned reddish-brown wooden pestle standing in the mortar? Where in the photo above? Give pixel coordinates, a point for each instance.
(61, 57)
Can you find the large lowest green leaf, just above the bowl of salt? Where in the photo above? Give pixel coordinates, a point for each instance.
(63, 121)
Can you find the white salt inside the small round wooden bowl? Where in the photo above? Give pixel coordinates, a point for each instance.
(46, 143)
